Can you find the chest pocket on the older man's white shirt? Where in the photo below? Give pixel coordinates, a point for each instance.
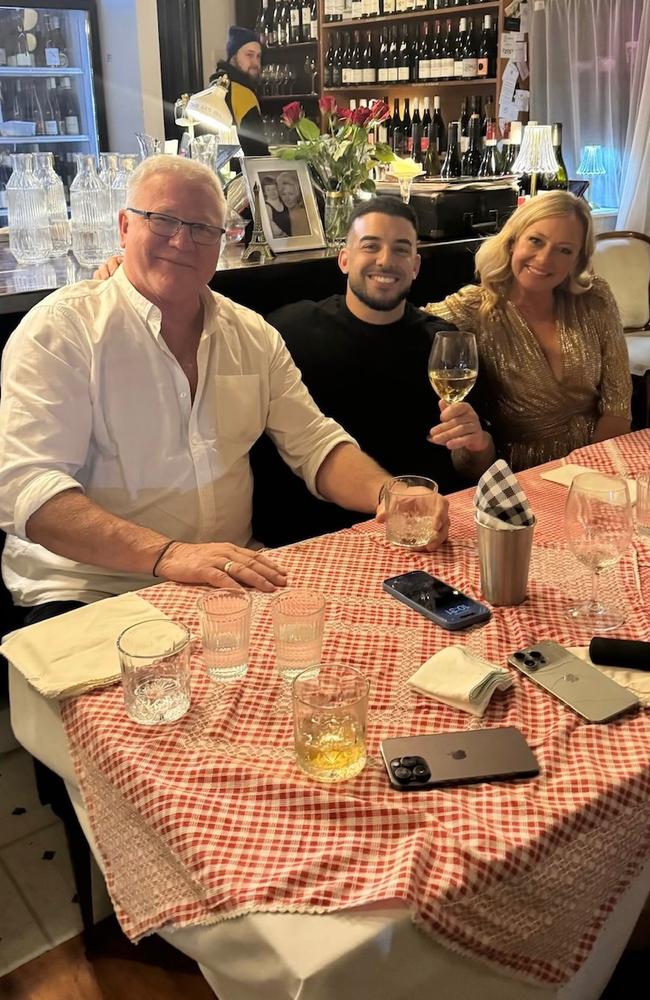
(238, 410)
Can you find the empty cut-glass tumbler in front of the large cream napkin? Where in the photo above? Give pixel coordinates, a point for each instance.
(155, 665)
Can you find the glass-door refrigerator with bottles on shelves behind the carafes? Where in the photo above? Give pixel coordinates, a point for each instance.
(50, 85)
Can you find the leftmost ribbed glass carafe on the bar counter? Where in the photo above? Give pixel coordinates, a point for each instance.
(29, 227)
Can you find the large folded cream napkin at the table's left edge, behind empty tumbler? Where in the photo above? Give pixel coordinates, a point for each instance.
(76, 652)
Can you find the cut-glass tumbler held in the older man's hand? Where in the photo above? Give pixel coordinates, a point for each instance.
(410, 503)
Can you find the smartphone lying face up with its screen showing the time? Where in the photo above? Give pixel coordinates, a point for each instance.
(436, 600)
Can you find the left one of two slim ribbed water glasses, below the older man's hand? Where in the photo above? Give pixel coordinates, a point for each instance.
(225, 617)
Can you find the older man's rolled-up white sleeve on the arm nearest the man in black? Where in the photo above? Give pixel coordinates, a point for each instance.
(302, 434)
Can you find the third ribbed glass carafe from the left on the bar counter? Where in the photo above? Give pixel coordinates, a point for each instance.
(90, 212)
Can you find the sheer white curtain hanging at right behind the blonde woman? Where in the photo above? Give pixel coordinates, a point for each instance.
(590, 70)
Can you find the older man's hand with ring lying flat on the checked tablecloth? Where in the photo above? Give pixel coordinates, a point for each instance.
(220, 564)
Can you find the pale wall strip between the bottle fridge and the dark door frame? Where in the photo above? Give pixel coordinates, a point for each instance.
(128, 36)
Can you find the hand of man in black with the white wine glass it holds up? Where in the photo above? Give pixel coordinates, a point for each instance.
(453, 369)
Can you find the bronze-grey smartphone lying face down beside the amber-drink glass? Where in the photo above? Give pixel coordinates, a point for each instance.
(415, 763)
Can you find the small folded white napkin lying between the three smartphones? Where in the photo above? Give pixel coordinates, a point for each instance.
(457, 678)
